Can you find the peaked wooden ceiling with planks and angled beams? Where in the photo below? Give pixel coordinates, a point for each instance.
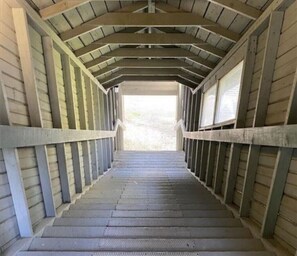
(180, 40)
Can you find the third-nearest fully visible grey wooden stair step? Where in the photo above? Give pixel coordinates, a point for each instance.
(148, 222)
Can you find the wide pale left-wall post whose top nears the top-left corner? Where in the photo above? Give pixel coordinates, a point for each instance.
(30, 84)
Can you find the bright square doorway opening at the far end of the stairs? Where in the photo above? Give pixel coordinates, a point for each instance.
(150, 122)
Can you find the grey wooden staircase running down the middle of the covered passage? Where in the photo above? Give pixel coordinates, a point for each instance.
(148, 204)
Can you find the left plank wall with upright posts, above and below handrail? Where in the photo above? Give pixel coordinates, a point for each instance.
(48, 72)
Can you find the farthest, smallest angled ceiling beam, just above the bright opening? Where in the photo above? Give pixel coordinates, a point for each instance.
(150, 78)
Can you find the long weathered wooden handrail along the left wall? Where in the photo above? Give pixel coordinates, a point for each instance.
(19, 136)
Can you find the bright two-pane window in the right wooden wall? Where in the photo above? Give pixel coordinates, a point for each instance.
(220, 101)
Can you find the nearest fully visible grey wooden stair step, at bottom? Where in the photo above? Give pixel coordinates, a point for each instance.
(114, 244)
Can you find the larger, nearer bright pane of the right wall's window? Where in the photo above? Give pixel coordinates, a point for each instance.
(228, 95)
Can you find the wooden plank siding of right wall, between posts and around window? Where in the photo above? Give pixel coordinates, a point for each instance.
(285, 229)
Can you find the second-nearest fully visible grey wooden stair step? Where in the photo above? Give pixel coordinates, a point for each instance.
(145, 232)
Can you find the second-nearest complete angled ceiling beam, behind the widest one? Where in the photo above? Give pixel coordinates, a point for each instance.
(149, 39)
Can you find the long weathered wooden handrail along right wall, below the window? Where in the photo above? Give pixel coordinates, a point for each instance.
(275, 136)
